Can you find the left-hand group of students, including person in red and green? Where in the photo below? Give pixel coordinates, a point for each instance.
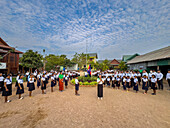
(57, 78)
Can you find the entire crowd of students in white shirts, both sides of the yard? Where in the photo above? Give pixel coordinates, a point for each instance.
(109, 78)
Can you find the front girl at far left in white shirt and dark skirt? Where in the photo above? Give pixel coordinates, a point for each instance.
(7, 89)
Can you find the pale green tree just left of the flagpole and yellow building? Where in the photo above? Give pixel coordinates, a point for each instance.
(80, 59)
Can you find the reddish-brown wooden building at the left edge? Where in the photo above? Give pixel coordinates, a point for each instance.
(9, 61)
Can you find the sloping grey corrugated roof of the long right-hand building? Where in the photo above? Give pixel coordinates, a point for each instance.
(154, 55)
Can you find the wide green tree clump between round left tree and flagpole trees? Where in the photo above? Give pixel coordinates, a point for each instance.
(52, 61)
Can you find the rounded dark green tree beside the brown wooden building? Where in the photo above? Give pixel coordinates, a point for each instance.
(31, 60)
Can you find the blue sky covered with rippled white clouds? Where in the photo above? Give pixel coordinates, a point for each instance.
(110, 28)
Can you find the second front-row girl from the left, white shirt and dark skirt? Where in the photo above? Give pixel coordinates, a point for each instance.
(20, 87)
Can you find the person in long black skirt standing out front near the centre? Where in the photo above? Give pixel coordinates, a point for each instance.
(100, 87)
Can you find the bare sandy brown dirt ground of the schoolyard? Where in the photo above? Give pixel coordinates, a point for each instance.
(118, 109)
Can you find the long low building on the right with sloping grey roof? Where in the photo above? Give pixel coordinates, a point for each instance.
(155, 60)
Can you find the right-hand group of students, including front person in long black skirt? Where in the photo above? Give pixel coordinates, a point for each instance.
(131, 79)
